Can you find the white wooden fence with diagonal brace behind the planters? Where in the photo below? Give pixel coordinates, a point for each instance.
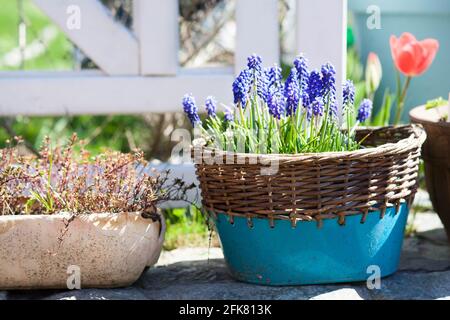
(139, 70)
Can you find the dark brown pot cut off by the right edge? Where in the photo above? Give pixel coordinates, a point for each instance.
(436, 155)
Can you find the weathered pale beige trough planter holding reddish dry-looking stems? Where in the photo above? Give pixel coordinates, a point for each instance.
(105, 249)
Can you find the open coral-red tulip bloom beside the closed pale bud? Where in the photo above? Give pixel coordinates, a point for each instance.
(412, 57)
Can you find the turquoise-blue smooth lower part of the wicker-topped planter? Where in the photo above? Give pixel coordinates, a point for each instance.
(306, 254)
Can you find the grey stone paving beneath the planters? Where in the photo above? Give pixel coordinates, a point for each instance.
(200, 273)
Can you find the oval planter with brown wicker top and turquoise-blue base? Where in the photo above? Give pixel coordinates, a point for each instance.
(319, 218)
